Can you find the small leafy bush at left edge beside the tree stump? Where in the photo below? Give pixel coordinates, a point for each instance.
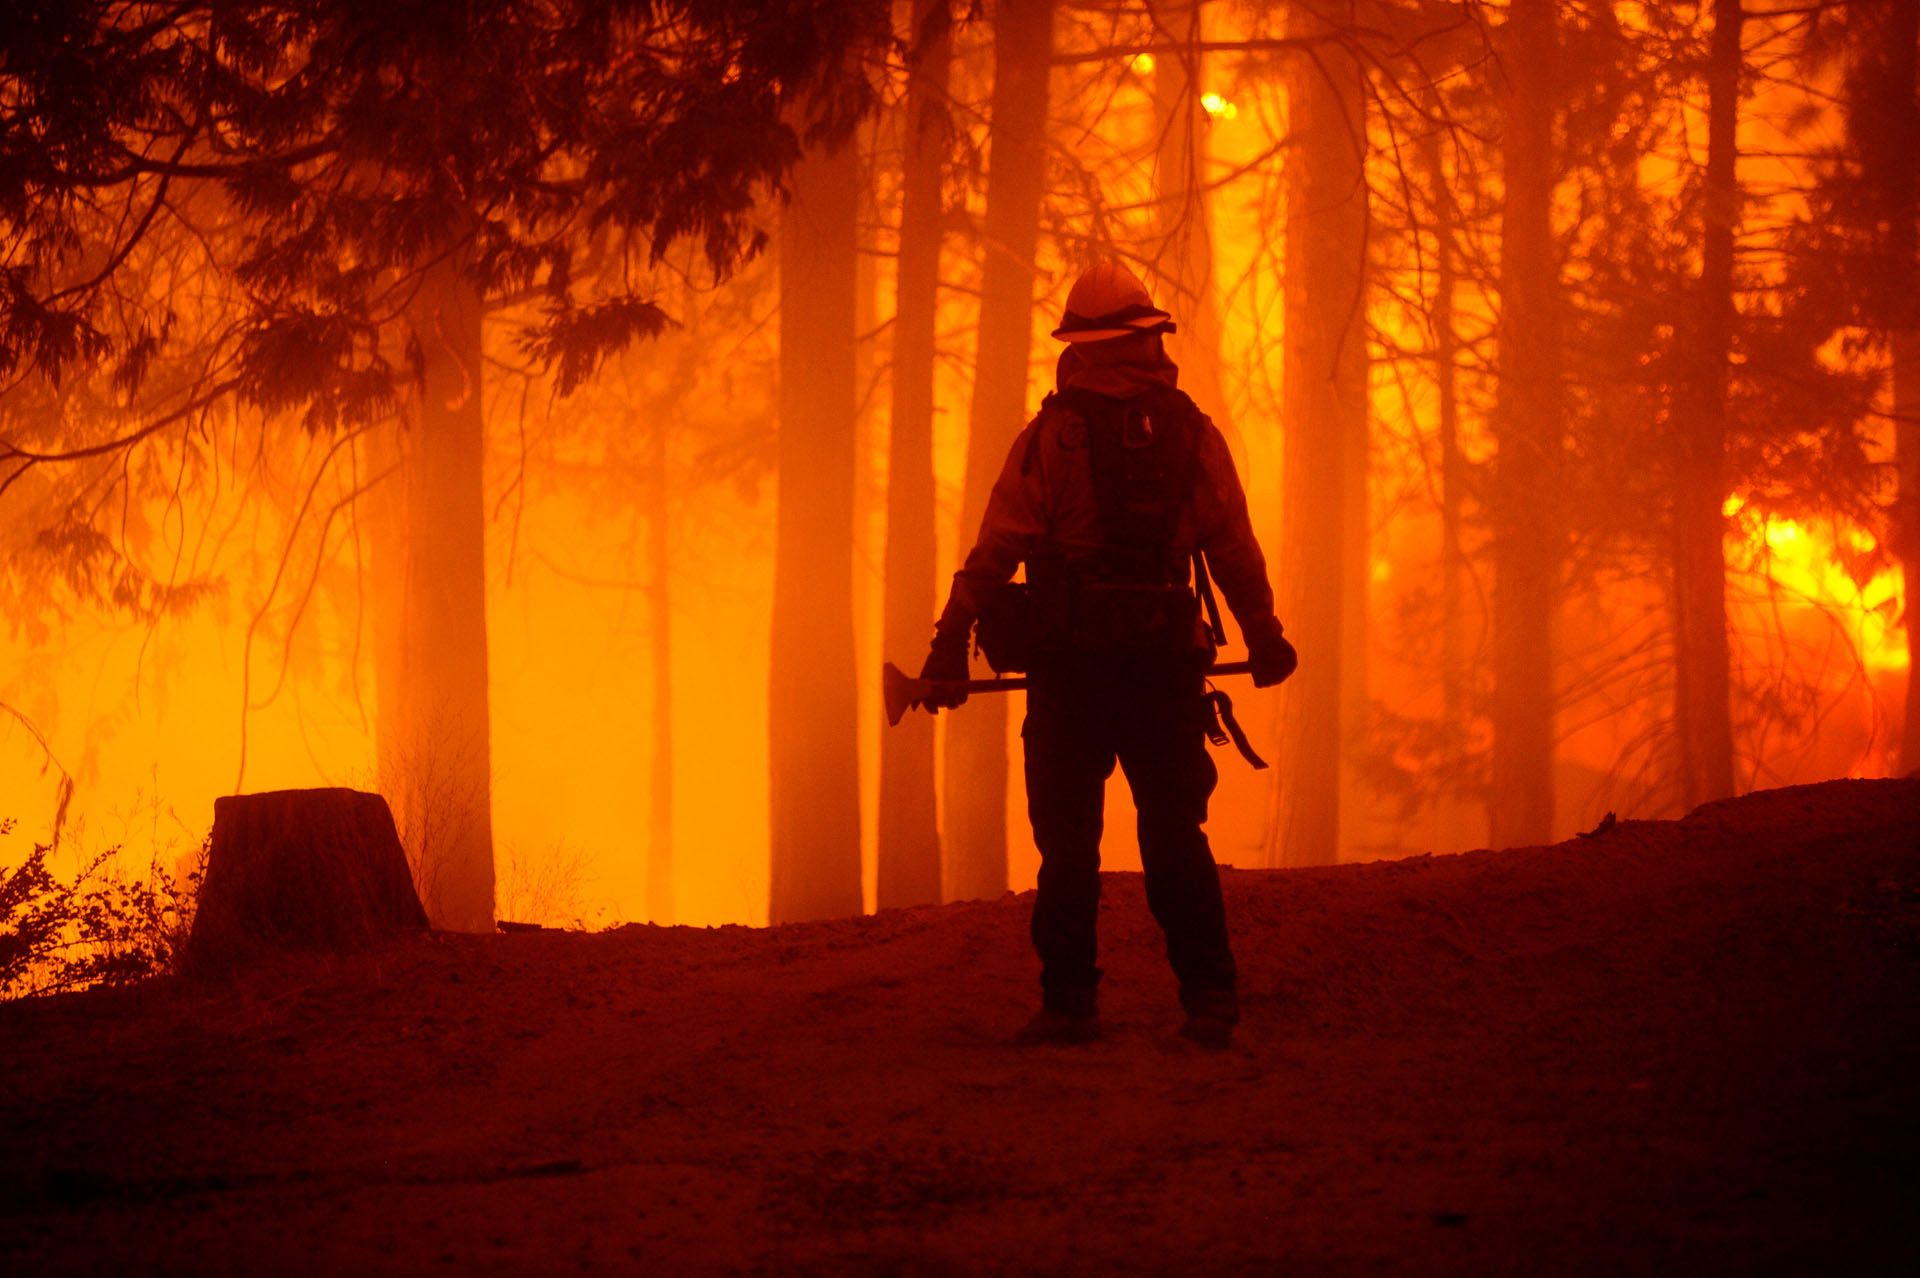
(97, 930)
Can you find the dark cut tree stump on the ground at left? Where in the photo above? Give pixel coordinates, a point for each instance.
(300, 870)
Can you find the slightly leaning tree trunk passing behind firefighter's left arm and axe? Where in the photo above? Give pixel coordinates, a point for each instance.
(1017, 179)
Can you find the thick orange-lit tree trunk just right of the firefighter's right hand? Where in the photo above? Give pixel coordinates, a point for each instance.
(1324, 396)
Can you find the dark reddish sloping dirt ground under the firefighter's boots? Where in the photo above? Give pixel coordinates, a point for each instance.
(1685, 1047)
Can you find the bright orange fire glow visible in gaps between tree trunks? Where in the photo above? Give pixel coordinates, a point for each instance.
(272, 682)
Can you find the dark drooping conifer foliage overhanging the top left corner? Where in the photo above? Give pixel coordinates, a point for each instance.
(356, 141)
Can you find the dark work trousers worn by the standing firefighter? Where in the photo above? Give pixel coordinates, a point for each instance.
(1151, 717)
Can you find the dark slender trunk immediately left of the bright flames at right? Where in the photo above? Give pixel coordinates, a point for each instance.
(1704, 719)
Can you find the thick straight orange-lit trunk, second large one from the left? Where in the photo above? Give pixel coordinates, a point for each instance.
(813, 717)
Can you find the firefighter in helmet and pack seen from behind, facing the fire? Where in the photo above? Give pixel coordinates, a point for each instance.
(1116, 498)
